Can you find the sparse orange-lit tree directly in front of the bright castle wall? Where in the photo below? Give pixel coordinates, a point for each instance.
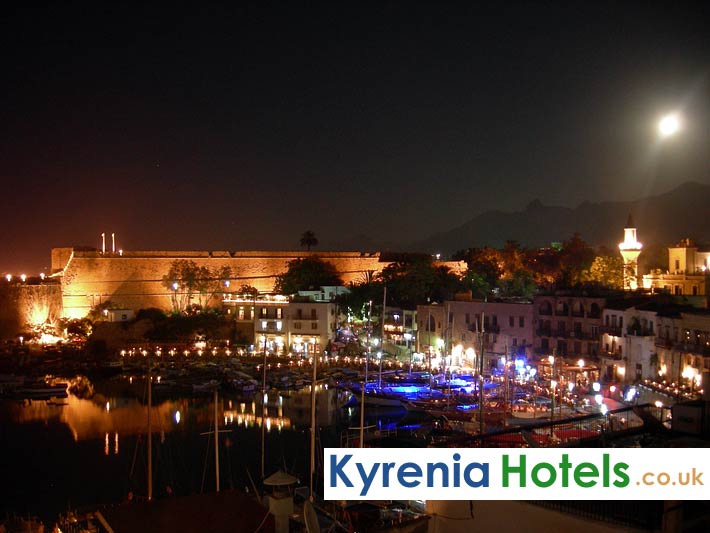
(187, 281)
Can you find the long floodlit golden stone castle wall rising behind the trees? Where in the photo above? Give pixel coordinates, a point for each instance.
(133, 280)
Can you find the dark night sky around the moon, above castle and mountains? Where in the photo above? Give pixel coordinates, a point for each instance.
(372, 124)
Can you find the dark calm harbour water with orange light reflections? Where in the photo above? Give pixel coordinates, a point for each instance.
(71, 453)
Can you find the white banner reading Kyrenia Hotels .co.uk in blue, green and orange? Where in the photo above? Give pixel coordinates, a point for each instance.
(515, 474)
